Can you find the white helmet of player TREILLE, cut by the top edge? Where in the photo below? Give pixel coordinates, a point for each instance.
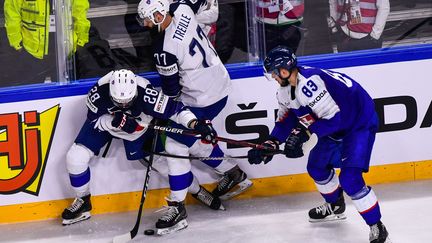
(148, 8)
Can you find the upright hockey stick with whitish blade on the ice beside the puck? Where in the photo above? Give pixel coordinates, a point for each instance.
(130, 235)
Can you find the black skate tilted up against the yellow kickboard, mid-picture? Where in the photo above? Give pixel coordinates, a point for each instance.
(232, 183)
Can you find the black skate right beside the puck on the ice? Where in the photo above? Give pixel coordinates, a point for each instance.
(173, 219)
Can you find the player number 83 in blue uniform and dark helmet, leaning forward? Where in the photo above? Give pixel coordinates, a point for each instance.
(340, 114)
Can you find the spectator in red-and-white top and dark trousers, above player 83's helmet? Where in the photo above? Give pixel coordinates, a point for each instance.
(281, 19)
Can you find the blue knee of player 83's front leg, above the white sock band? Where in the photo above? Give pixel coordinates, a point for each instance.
(351, 180)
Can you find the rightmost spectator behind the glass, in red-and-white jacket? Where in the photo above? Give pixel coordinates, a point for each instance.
(358, 24)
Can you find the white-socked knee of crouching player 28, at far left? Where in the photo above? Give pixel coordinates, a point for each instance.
(78, 158)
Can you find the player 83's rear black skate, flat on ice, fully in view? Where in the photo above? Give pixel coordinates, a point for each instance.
(328, 211)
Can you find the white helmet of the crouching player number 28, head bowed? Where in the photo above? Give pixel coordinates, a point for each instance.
(123, 88)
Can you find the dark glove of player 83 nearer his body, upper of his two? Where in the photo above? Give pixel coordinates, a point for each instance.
(294, 144)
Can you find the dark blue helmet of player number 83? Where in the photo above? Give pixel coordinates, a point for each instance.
(280, 57)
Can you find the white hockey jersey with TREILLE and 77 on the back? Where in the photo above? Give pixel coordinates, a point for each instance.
(187, 62)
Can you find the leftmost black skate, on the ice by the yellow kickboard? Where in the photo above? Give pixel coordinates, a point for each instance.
(78, 211)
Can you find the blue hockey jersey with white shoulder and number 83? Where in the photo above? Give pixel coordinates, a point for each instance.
(328, 103)
